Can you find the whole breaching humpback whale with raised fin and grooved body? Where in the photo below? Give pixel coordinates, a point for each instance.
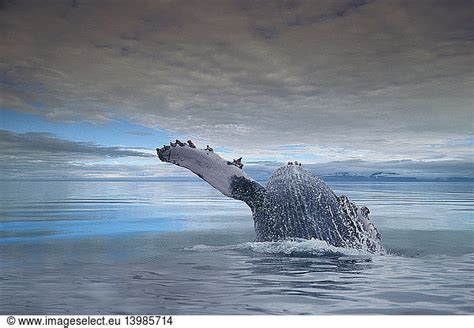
(295, 204)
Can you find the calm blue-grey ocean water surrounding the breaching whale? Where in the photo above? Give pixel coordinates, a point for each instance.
(161, 247)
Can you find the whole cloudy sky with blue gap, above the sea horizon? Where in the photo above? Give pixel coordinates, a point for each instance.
(89, 89)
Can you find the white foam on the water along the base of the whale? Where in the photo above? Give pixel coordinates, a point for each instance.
(293, 247)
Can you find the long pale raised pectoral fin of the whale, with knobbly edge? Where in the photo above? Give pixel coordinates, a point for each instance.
(227, 177)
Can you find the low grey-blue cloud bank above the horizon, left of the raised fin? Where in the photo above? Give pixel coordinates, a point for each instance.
(42, 155)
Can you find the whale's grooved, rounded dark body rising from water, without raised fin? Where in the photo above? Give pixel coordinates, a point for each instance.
(298, 204)
